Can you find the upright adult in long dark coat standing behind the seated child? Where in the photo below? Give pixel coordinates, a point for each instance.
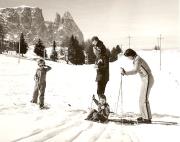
(101, 64)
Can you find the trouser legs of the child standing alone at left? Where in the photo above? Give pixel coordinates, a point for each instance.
(39, 90)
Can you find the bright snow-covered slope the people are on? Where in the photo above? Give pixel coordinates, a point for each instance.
(68, 93)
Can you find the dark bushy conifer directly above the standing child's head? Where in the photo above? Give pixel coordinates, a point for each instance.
(39, 49)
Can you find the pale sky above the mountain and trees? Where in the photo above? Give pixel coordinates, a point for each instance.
(114, 20)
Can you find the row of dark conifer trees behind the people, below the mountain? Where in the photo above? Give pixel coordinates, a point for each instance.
(77, 53)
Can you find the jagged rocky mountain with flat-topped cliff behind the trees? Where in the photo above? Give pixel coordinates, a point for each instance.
(30, 21)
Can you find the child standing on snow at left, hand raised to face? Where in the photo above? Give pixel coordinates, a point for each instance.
(40, 85)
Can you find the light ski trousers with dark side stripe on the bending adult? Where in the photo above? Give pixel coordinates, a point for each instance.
(147, 83)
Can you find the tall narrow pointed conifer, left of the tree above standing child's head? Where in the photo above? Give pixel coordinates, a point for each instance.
(23, 45)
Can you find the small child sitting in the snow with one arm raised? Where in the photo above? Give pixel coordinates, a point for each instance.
(100, 115)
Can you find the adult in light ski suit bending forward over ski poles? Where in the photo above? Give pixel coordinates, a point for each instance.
(141, 67)
